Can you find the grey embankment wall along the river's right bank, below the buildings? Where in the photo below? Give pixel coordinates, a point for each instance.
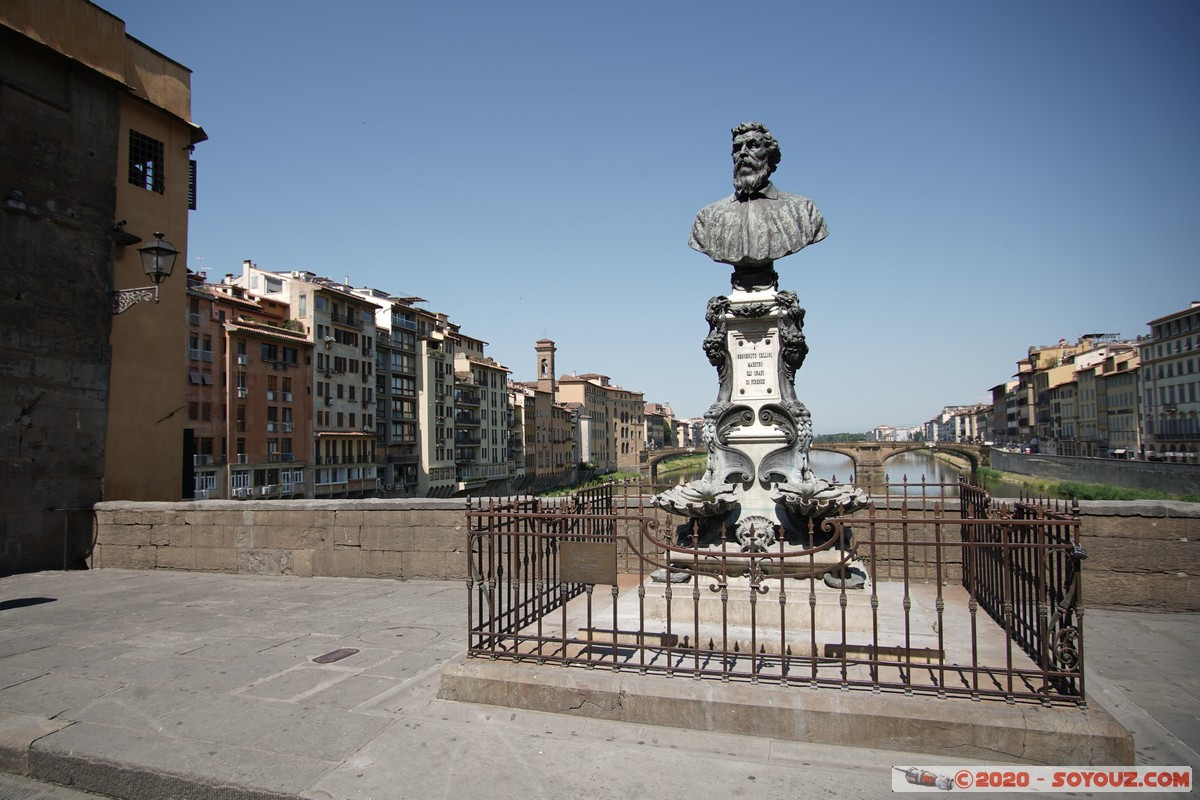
(1174, 479)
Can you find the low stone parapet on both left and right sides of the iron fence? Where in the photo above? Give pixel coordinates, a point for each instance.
(1143, 555)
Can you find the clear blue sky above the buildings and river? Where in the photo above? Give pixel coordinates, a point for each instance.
(995, 176)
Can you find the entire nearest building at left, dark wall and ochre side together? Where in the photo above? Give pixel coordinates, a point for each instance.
(95, 137)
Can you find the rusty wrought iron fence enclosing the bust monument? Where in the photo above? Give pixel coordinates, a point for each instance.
(885, 600)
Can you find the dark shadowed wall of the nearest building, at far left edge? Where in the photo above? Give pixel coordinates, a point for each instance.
(58, 170)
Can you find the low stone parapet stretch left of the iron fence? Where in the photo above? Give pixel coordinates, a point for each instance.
(368, 539)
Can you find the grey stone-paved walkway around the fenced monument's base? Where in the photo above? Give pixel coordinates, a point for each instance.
(164, 685)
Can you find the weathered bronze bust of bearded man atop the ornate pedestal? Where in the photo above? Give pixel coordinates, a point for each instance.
(758, 224)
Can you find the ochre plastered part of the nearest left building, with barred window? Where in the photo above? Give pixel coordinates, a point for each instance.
(155, 187)
